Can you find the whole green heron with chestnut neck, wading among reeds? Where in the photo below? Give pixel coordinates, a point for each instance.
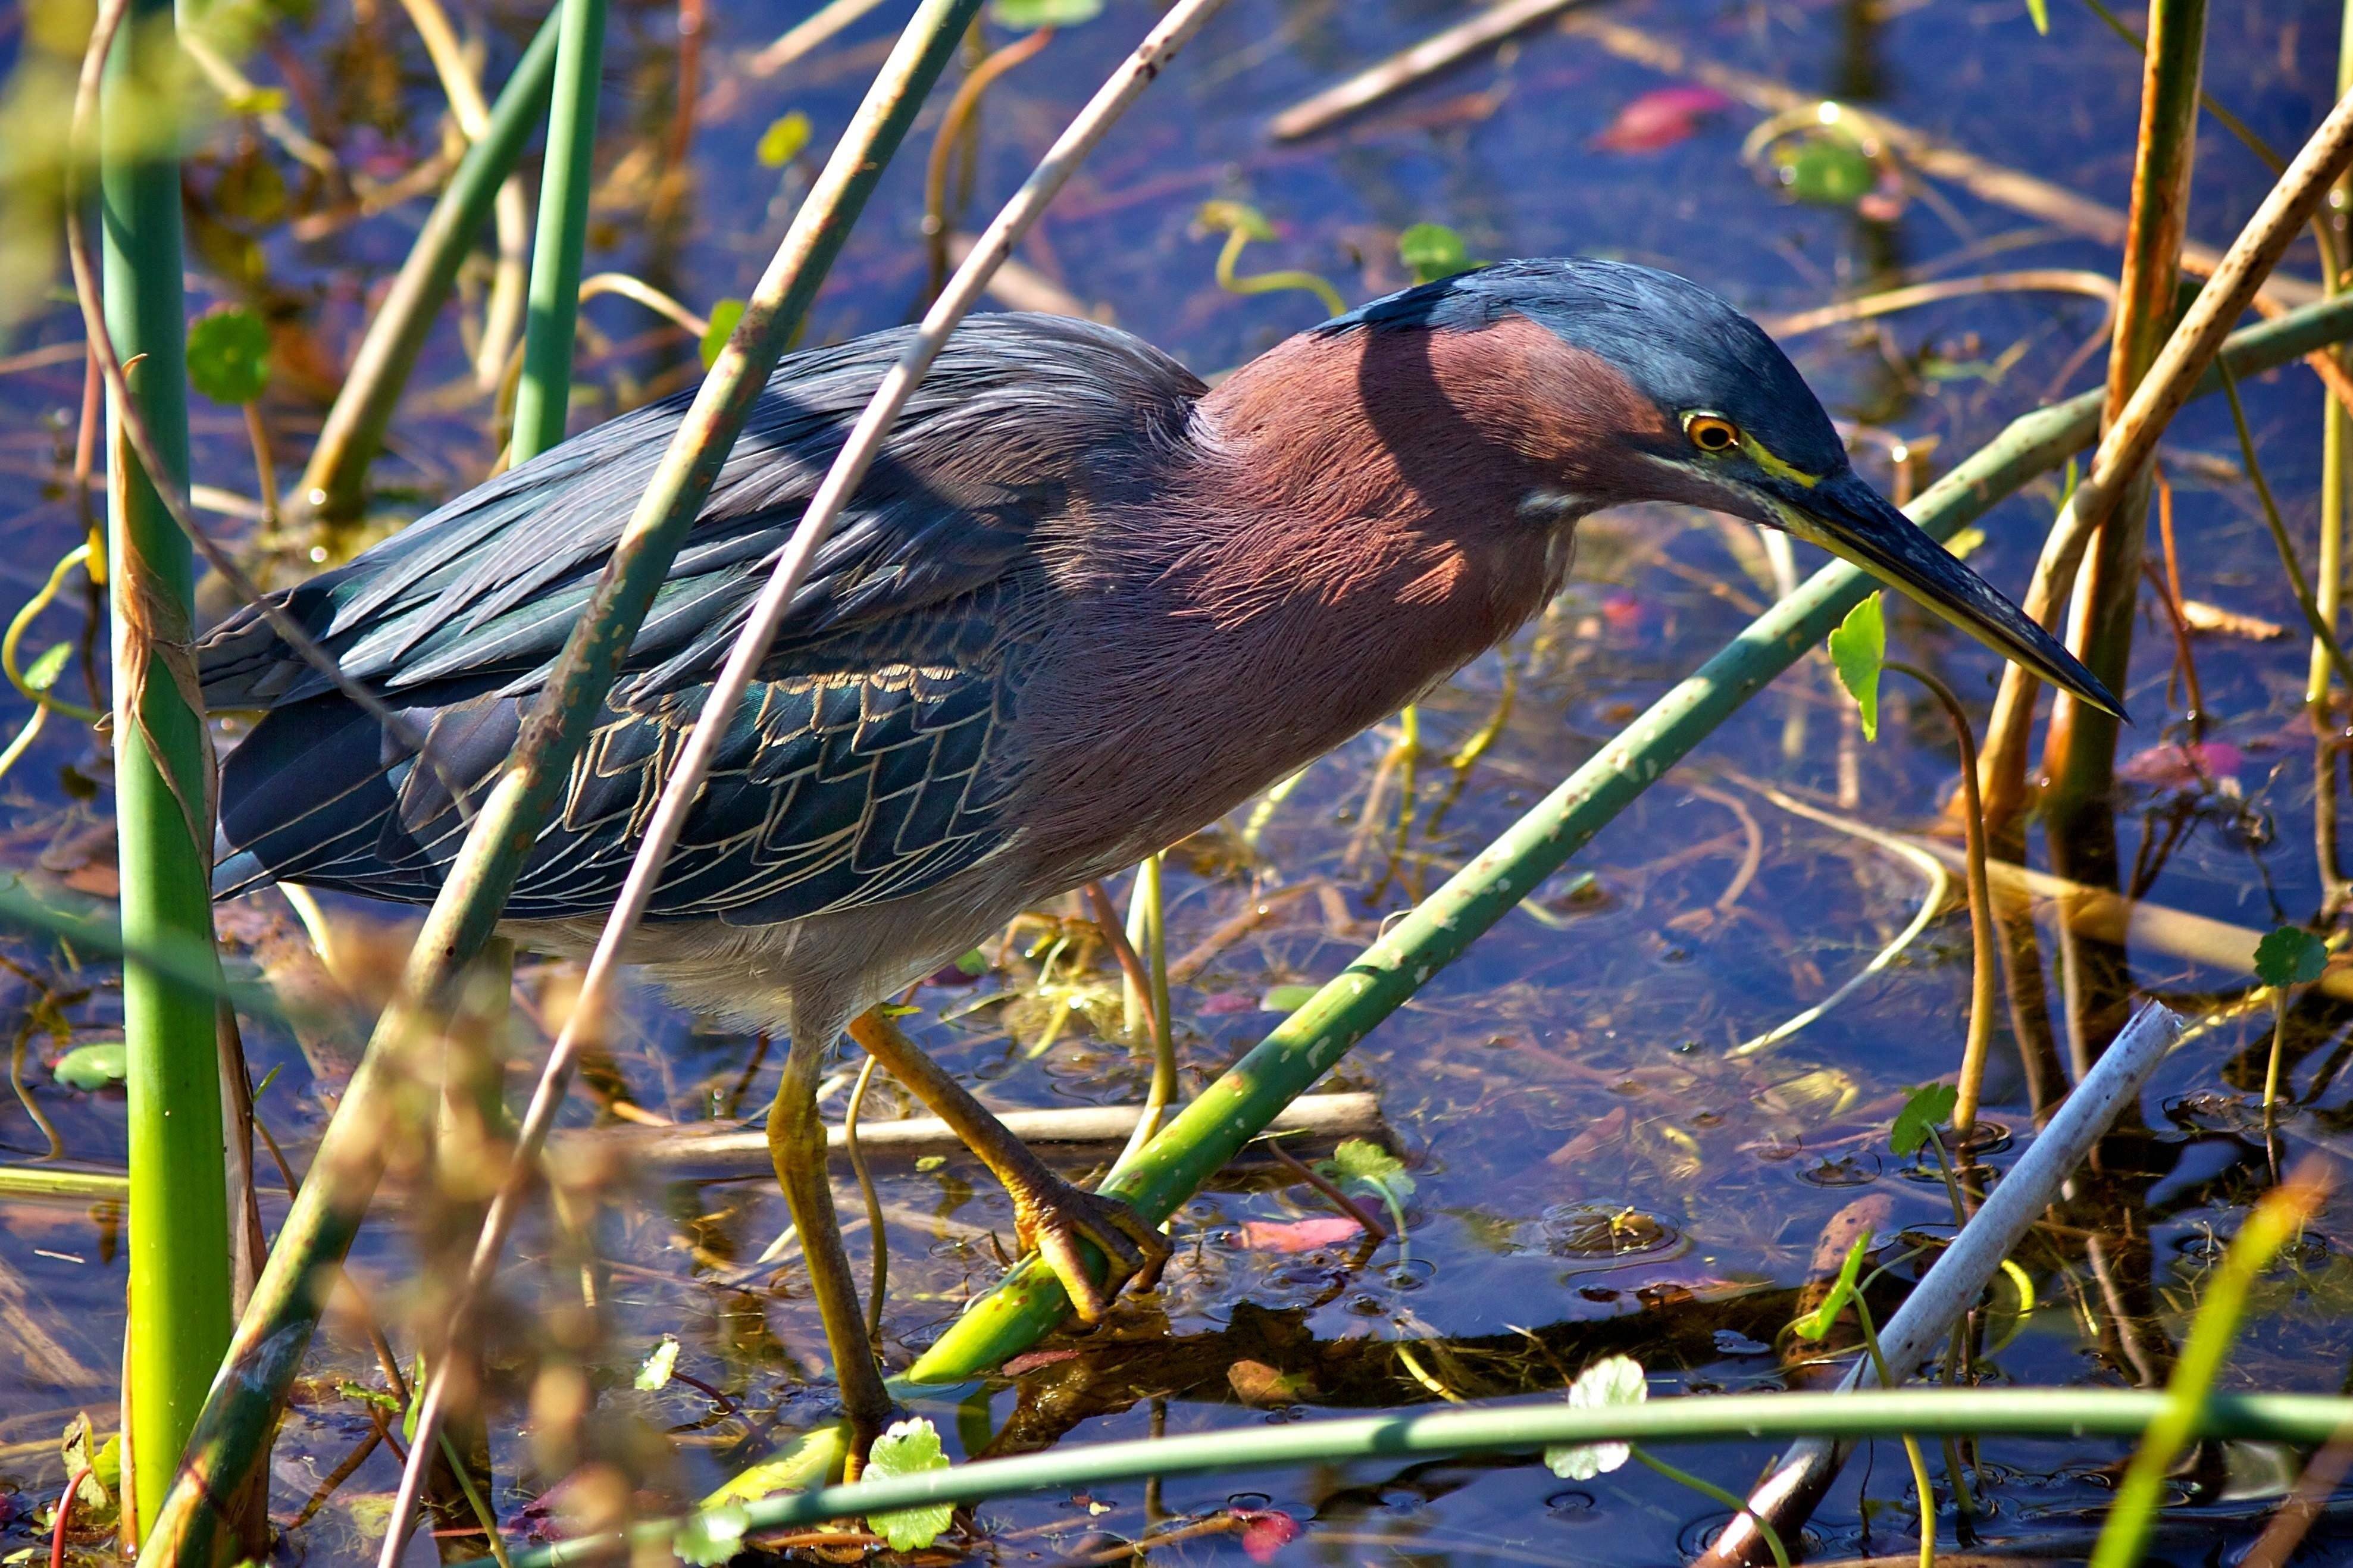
(1081, 609)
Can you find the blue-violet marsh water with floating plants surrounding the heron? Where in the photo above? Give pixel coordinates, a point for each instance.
(1592, 1164)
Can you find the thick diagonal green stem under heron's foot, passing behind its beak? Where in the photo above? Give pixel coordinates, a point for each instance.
(1234, 1110)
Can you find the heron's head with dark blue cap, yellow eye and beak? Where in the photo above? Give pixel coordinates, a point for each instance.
(1677, 397)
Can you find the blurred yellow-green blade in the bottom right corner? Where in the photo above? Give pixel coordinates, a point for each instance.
(2187, 1393)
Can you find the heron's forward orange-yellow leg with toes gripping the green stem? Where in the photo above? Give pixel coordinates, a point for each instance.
(1051, 1214)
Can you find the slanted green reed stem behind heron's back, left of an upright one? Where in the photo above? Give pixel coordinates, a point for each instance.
(335, 481)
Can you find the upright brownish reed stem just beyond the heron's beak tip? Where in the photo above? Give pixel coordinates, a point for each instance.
(2079, 752)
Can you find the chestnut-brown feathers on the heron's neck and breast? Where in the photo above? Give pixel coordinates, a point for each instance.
(1342, 498)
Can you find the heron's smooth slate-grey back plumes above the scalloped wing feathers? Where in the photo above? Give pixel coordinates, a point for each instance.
(1018, 413)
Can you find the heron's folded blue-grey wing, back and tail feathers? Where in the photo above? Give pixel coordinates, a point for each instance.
(872, 757)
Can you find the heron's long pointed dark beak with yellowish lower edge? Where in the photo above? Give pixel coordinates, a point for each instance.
(1855, 521)
